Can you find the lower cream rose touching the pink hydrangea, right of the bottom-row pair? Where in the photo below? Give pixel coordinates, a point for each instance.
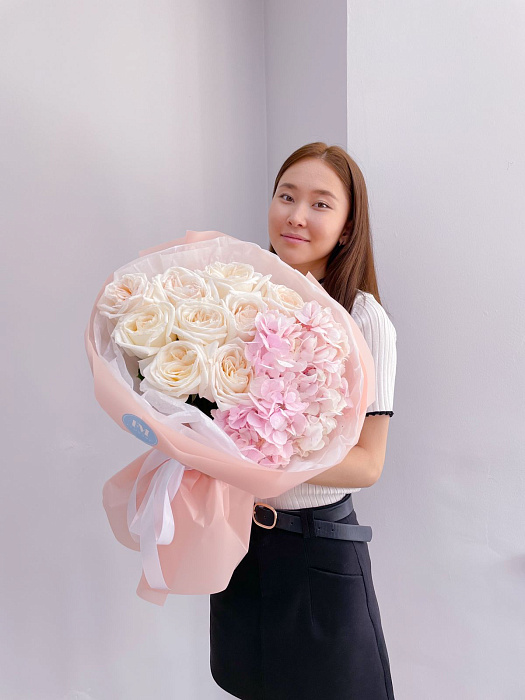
(231, 375)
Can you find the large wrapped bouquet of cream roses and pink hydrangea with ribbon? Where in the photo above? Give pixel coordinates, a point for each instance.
(243, 375)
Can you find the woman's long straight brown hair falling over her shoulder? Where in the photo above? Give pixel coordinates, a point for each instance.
(350, 266)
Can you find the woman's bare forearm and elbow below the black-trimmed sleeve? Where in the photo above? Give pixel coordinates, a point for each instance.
(363, 464)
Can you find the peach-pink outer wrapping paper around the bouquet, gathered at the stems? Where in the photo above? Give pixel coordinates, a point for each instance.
(203, 532)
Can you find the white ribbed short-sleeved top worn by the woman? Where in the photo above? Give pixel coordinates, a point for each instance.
(380, 335)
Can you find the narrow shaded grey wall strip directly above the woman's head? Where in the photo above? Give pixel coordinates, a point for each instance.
(305, 63)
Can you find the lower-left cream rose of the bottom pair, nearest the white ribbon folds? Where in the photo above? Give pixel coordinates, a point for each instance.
(178, 369)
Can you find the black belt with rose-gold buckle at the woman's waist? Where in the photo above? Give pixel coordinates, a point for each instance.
(323, 521)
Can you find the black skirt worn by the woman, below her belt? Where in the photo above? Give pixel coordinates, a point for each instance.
(299, 620)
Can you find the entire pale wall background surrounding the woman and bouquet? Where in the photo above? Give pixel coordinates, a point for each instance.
(122, 125)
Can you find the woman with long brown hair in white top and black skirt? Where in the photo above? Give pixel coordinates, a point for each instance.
(299, 619)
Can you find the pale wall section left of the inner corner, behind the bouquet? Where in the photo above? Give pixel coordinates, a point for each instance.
(123, 124)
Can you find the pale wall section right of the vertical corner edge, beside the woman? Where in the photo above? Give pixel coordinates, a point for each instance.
(436, 100)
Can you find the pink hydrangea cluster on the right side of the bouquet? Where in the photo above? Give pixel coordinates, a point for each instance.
(297, 388)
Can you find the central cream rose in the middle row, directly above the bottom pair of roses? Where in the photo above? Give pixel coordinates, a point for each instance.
(204, 322)
